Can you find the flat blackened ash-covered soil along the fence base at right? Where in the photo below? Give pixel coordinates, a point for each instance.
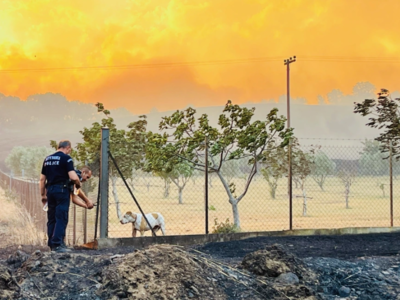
(365, 267)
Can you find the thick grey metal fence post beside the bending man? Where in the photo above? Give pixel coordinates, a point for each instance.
(105, 137)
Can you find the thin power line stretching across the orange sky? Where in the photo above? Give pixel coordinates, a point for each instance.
(210, 63)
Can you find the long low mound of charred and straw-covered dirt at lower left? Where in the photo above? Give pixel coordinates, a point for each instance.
(159, 272)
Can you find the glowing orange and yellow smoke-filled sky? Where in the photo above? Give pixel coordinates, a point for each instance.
(58, 34)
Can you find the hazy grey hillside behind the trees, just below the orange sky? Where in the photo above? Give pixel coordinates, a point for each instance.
(51, 116)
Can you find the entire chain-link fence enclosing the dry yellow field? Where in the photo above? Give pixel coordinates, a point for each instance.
(334, 186)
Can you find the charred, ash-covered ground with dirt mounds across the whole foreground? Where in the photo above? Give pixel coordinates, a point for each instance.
(362, 267)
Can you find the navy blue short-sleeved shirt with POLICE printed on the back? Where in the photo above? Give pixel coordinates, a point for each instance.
(56, 167)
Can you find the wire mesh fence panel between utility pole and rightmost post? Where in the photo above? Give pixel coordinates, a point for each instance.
(346, 187)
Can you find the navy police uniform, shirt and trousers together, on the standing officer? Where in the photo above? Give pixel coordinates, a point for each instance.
(56, 168)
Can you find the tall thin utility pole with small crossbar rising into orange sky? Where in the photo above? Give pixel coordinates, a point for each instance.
(287, 62)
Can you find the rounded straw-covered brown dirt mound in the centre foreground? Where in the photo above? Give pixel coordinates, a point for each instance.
(159, 272)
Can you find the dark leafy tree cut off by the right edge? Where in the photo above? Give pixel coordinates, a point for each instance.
(384, 114)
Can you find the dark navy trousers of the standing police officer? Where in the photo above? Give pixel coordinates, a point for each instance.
(58, 199)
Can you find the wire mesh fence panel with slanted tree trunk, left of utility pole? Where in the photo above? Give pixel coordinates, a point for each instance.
(256, 211)
